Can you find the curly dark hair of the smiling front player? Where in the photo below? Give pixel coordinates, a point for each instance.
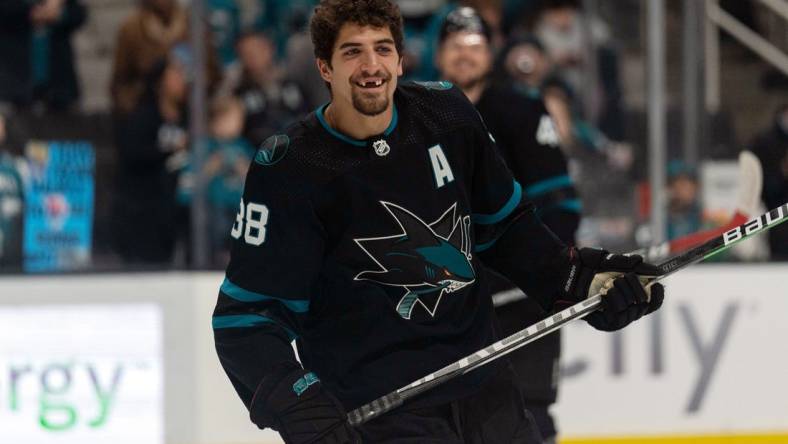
(330, 15)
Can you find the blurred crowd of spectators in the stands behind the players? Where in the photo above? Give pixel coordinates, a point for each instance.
(260, 77)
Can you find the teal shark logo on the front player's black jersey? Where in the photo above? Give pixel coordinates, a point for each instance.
(427, 260)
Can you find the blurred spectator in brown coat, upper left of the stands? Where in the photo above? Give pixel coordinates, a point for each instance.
(144, 38)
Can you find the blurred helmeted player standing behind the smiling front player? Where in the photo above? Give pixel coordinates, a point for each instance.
(529, 142)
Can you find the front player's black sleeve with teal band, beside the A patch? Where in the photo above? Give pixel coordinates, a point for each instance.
(510, 237)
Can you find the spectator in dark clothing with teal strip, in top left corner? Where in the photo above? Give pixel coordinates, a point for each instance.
(36, 57)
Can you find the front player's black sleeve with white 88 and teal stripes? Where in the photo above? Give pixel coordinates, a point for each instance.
(276, 255)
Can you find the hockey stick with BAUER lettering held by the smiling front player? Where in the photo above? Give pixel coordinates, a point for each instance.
(558, 320)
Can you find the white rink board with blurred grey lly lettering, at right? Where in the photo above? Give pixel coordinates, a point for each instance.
(712, 361)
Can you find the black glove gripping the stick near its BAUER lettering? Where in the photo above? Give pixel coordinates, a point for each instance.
(617, 276)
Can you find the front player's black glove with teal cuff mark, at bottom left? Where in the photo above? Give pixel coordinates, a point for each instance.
(297, 406)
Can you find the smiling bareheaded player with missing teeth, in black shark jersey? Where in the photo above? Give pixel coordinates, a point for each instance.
(364, 234)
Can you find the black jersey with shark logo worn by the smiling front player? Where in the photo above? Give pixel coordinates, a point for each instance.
(367, 252)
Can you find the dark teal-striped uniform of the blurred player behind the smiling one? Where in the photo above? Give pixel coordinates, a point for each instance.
(529, 143)
